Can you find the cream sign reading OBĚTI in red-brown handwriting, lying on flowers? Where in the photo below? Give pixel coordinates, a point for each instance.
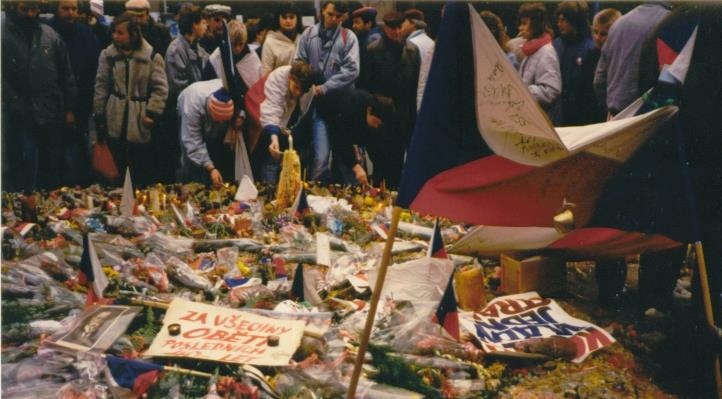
(225, 335)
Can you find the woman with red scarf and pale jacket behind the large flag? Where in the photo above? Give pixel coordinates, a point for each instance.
(540, 68)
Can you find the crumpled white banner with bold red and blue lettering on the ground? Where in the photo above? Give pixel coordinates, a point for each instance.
(511, 319)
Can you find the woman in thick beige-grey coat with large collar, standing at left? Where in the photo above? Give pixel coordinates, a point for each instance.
(131, 89)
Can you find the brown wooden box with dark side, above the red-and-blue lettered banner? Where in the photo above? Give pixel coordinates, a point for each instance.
(542, 274)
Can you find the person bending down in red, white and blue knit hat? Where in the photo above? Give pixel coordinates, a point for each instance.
(205, 109)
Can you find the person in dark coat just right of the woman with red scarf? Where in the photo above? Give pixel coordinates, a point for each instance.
(572, 46)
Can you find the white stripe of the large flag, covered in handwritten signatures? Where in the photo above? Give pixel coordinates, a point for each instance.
(515, 127)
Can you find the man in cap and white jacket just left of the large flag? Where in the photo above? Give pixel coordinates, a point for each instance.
(413, 29)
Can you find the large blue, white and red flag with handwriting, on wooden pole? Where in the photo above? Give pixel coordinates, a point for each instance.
(490, 150)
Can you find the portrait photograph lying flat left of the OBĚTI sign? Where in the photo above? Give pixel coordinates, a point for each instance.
(96, 329)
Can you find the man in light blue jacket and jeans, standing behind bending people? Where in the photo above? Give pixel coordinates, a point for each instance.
(334, 51)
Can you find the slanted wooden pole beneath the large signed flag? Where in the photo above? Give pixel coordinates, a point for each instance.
(374, 302)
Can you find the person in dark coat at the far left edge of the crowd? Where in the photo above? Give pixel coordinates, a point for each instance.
(38, 99)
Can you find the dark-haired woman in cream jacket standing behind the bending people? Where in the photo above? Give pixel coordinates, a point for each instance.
(280, 45)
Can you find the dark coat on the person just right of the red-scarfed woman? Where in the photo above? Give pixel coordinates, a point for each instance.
(571, 53)
